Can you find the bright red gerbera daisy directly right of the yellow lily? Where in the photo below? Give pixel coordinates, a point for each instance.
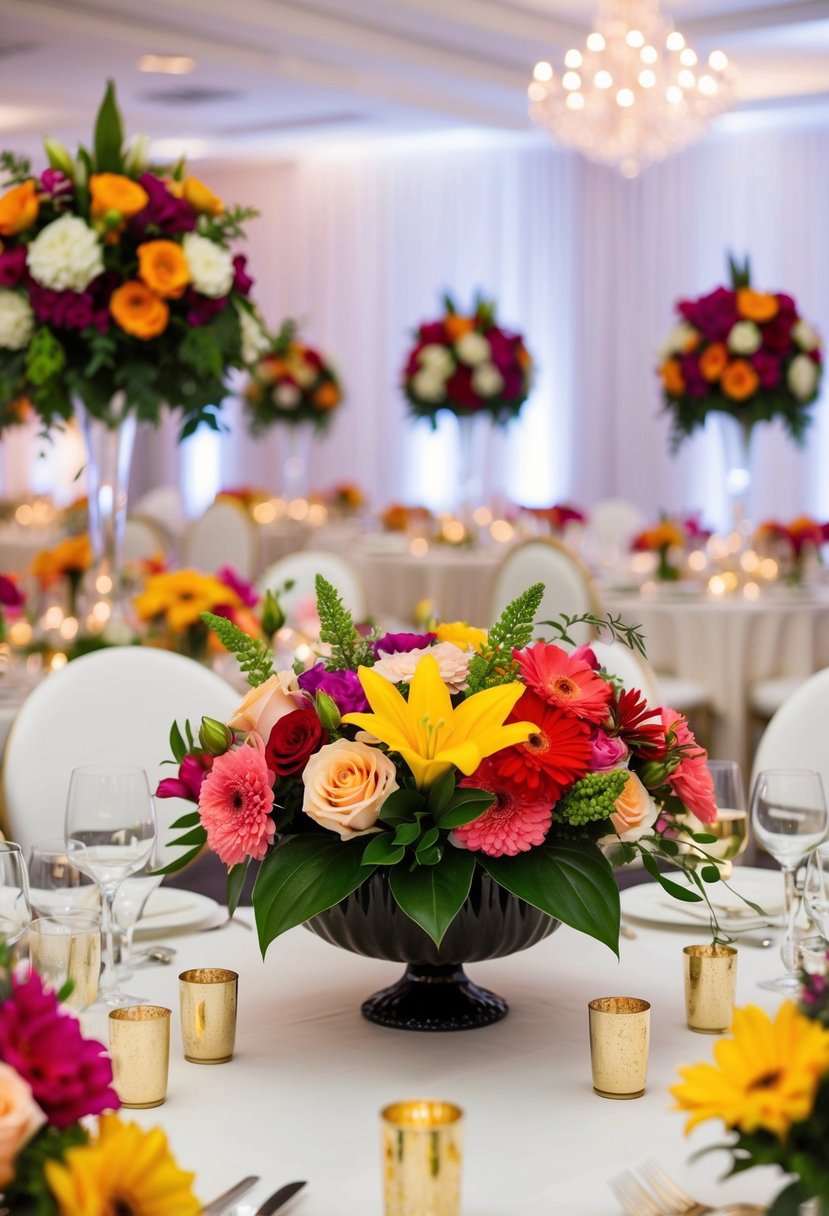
(554, 758)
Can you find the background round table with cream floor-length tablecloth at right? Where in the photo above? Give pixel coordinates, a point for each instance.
(728, 644)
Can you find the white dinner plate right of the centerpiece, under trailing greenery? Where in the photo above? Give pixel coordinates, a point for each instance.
(651, 905)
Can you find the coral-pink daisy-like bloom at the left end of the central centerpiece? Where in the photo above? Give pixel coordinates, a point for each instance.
(235, 804)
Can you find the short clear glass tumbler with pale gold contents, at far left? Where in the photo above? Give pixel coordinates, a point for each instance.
(69, 948)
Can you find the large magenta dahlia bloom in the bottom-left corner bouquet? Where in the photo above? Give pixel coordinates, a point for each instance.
(71, 1077)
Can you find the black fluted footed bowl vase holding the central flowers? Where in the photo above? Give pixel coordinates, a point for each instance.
(435, 993)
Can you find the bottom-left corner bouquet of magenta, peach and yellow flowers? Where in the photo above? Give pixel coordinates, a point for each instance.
(63, 1149)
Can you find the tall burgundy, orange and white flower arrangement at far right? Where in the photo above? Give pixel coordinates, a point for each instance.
(745, 353)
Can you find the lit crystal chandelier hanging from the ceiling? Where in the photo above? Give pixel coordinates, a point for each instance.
(635, 94)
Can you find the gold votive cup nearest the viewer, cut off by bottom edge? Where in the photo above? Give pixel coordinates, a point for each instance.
(422, 1146)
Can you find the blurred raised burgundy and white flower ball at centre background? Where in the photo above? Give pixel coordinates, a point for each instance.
(467, 365)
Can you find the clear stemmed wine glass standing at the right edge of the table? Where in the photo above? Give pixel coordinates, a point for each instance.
(789, 820)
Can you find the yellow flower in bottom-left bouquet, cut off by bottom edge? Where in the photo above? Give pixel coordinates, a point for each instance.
(126, 1172)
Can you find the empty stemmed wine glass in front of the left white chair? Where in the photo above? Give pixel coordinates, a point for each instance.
(110, 835)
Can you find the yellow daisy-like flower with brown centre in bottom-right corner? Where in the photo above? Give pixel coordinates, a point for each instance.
(766, 1074)
